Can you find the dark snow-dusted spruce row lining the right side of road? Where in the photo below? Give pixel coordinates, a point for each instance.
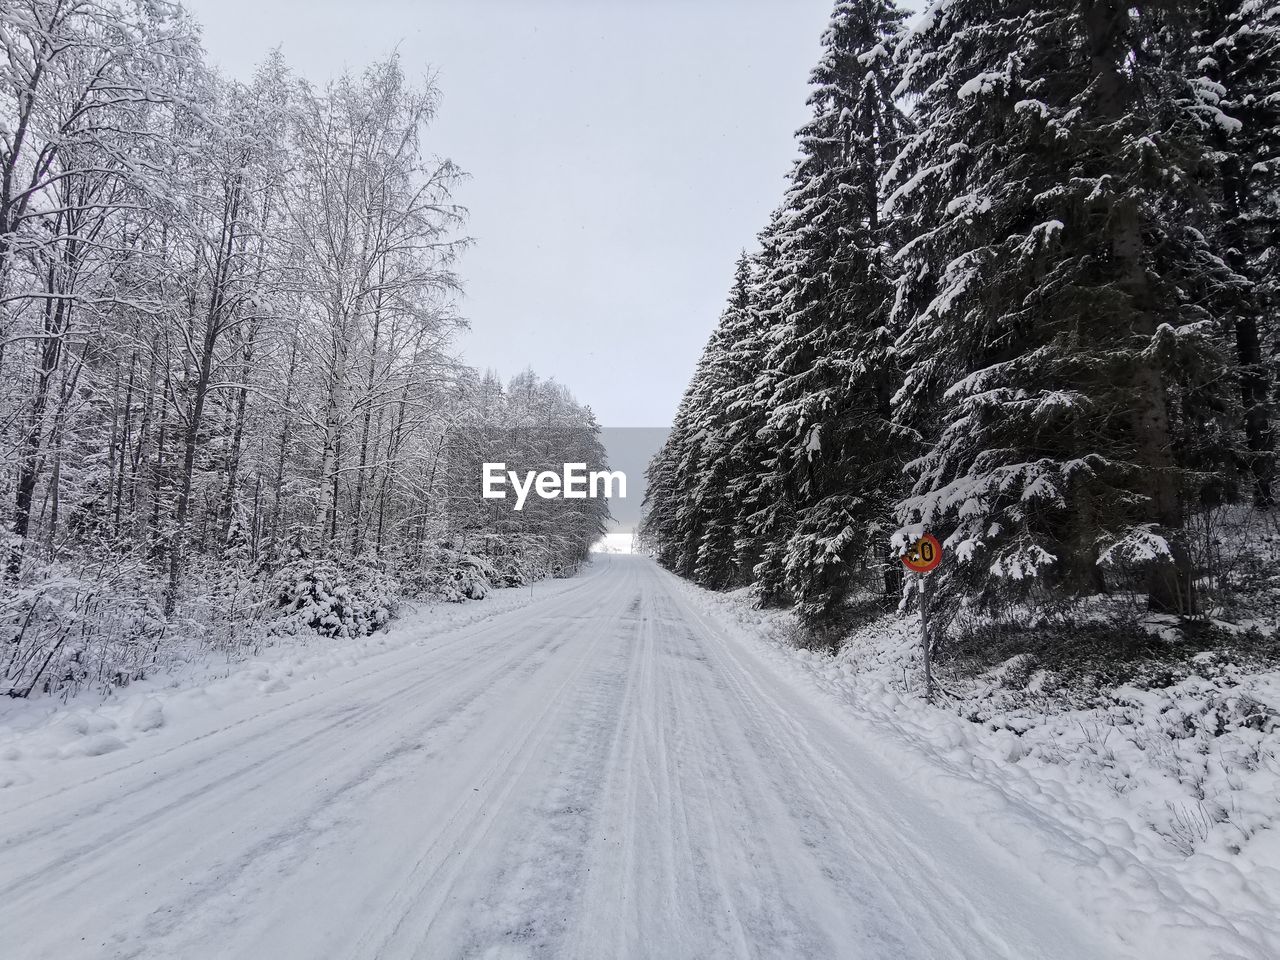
(1021, 292)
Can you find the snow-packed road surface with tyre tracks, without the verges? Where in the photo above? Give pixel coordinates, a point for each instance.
(602, 774)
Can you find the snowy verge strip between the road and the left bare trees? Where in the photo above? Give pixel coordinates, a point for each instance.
(39, 735)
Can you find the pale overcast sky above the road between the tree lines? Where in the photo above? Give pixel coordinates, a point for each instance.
(621, 153)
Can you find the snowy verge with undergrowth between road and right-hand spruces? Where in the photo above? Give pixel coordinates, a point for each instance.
(1158, 810)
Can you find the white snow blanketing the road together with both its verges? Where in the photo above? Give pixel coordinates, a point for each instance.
(620, 766)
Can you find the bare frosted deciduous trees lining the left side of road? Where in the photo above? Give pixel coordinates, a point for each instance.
(226, 314)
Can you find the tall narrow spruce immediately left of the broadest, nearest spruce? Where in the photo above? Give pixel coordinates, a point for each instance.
(829, 371)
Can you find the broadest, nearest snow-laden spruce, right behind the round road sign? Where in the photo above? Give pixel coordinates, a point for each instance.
(1064, 360)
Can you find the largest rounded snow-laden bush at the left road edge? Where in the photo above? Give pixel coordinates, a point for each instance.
(316, 593)
